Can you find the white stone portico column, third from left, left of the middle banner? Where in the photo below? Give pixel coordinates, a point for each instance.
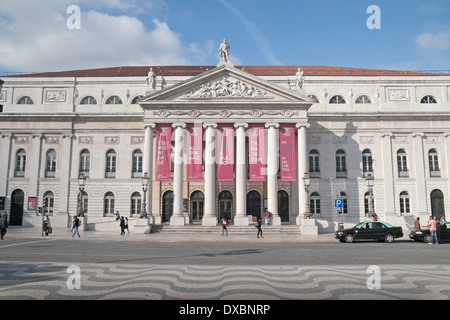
(209, 215)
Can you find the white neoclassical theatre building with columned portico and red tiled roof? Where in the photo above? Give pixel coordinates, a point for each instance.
(225, 141)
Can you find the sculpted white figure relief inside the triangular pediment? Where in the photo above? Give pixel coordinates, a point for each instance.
(227, 88)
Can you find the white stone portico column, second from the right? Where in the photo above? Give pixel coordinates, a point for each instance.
(272, 172)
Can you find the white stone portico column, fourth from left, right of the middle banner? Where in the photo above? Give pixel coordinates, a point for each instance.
(241, 176)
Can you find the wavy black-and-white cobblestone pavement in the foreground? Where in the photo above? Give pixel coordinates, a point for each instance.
(156, 282)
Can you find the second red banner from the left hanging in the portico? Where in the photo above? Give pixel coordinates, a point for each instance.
(194, 146)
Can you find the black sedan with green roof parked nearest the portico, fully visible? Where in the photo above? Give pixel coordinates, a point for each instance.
(370, 230)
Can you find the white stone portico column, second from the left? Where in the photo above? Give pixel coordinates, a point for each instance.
(177, 217)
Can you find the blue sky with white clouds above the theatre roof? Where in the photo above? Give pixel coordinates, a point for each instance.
(414, 35)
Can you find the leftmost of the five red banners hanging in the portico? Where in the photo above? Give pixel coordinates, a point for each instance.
(163, 152)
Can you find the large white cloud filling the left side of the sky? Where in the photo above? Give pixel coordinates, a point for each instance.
(35, 37)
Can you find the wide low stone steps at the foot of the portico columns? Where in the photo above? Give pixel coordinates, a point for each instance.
(287, 229)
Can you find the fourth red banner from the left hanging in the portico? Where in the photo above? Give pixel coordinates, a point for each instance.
(256, 152)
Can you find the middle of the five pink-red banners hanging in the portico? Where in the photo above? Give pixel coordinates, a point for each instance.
(225, 152)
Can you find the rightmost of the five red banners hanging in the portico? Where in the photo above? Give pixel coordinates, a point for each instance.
(287, 152)
